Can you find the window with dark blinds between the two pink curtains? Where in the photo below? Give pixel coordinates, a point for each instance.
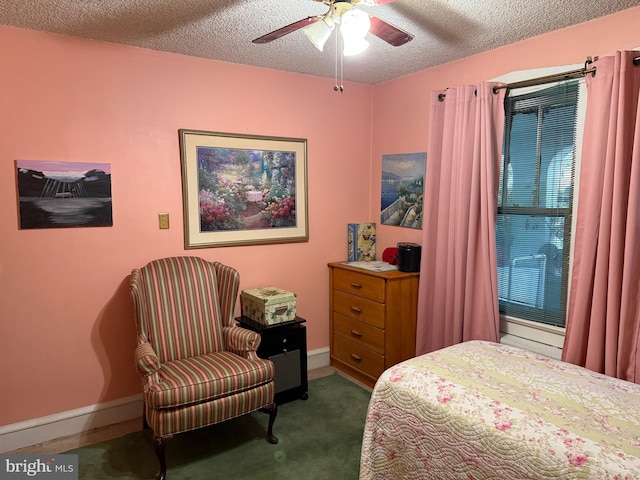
(535, 204)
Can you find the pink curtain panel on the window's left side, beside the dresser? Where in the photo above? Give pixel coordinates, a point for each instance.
(458, 295)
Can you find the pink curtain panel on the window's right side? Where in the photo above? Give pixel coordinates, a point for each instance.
(603, 321)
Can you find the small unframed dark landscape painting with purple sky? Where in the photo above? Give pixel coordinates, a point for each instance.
(64, 194)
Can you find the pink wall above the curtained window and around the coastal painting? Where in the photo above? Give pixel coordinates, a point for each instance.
(401, 106)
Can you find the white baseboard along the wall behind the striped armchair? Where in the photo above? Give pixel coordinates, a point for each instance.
(72, 422)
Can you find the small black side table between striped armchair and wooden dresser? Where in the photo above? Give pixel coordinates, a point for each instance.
(285, 344)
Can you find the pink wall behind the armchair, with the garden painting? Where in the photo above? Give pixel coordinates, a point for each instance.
(67, 331)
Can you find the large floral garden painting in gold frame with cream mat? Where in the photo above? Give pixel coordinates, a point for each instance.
(243, 189)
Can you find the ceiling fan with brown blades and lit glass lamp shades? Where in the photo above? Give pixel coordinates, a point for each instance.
(354, 24)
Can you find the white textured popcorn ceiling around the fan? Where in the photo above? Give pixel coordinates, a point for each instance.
(443, 30)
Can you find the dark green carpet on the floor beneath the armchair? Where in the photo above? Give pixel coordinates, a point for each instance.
(319, 438)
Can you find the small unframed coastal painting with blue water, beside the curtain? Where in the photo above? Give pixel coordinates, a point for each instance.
(401, 202)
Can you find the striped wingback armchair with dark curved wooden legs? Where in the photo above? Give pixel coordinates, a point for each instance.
(198, 367)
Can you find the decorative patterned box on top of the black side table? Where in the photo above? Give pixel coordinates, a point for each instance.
(268, 305)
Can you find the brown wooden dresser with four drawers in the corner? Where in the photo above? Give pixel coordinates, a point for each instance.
(373, 320)
